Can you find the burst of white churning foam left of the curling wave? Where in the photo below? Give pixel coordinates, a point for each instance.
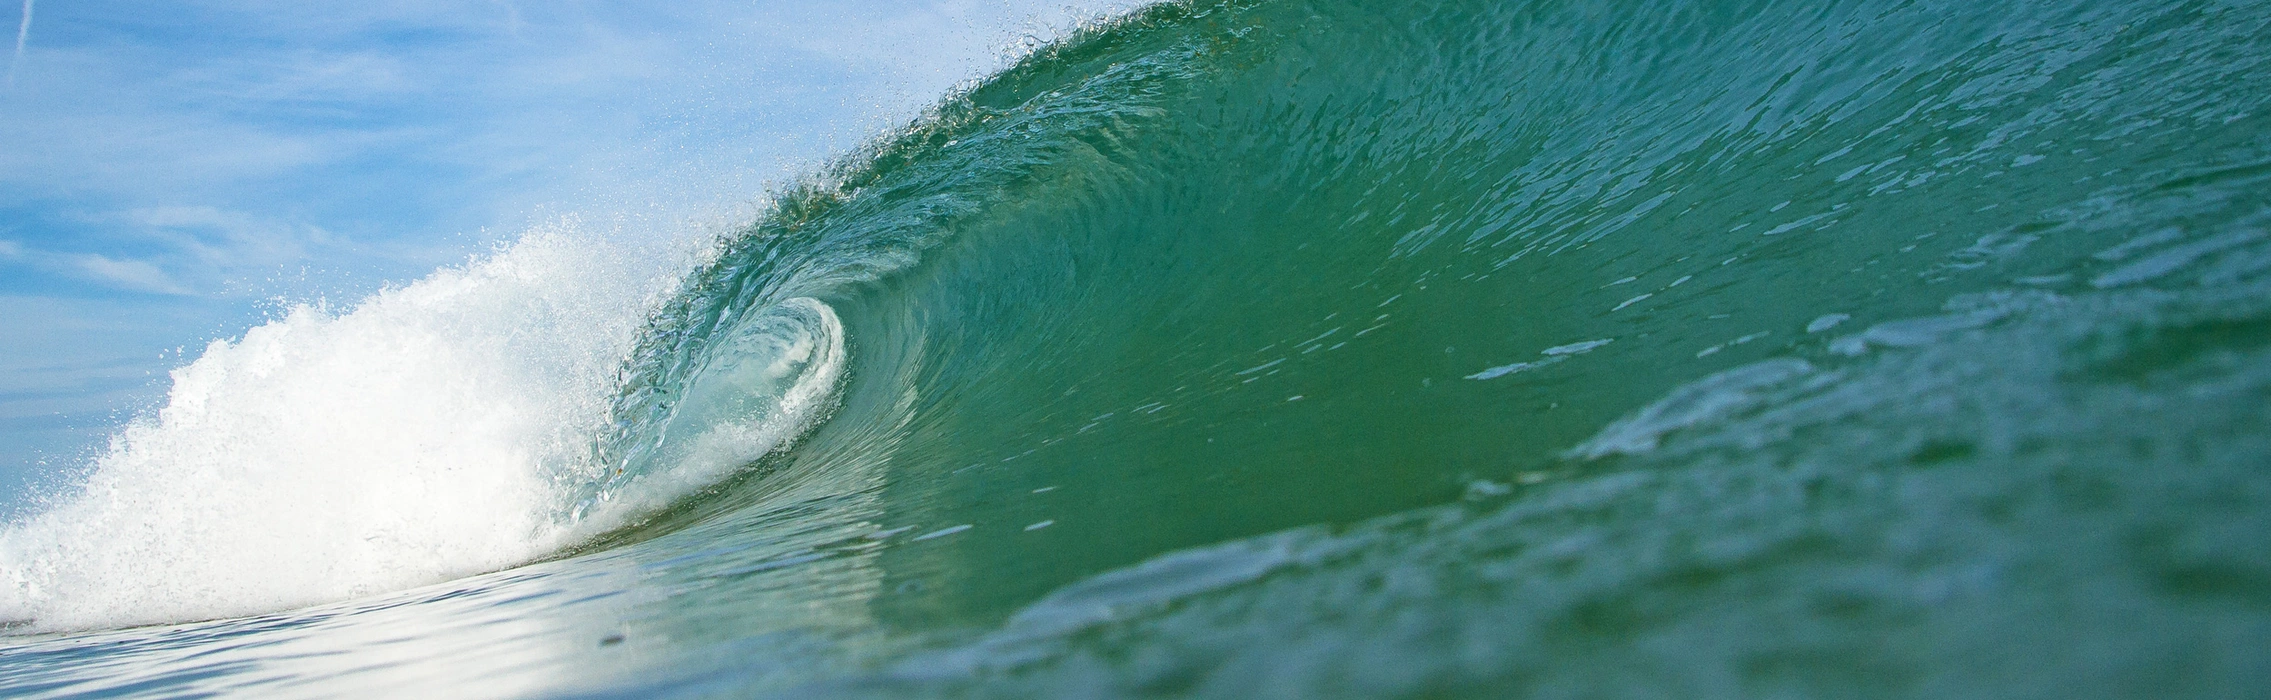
(419, 437)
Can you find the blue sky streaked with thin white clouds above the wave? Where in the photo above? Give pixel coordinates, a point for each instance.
(176, 172)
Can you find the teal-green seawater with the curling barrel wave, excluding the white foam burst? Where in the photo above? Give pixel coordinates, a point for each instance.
(1427, 351)
